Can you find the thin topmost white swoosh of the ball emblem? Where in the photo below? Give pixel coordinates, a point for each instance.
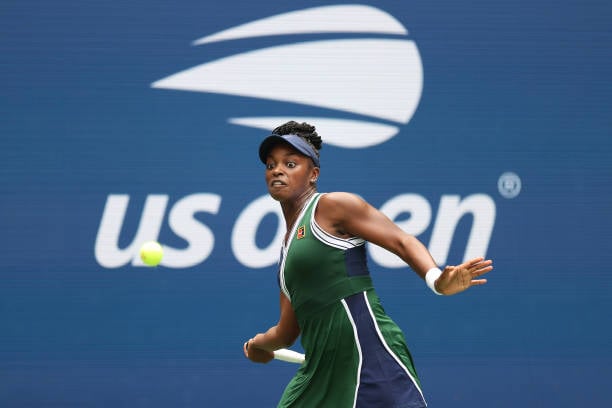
(328, 19)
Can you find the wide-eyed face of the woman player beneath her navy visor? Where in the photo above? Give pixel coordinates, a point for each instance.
(289, 174)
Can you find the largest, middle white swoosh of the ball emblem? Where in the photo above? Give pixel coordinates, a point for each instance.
(375, 77)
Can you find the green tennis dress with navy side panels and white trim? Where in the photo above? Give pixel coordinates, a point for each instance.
(356, 356)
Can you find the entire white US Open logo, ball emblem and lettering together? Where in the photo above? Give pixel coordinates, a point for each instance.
(368, 88)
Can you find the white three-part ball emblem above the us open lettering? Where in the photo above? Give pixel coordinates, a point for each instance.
(378, 79)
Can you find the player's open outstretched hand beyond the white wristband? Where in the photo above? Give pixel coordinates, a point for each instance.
(455, 279)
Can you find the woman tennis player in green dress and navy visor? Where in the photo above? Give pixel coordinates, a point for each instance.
(356, 356)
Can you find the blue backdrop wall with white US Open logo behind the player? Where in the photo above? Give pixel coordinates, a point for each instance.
(481, 127)
